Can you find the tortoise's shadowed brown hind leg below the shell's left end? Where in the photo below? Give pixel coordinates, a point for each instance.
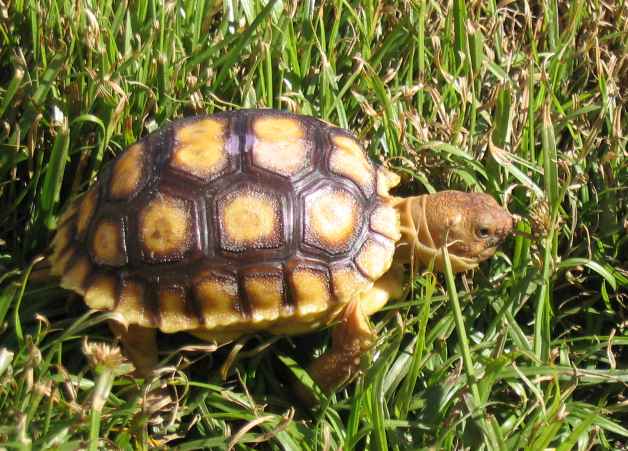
(139, 345)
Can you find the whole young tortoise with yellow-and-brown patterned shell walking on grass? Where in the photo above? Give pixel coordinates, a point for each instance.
(258, 220)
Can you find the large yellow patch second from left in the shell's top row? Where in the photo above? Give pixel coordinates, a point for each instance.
(200, 149)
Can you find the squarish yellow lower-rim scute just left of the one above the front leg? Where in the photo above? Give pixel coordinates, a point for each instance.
(311, 291)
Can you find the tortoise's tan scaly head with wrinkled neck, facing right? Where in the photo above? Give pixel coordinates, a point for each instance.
(472, 225)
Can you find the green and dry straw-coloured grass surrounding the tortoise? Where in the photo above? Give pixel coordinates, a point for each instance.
(524, 100)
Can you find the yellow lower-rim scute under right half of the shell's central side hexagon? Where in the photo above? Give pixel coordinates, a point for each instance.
(264, 292)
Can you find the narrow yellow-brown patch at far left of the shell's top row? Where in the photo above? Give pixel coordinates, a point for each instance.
(126, 177)
